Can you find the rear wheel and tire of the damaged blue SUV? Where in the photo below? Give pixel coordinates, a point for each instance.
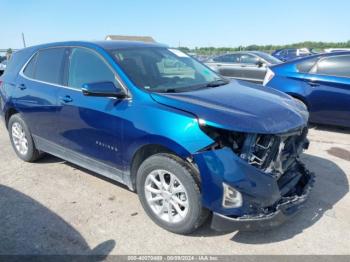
(21, 139)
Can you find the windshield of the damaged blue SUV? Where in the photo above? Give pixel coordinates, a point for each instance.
(162, 69)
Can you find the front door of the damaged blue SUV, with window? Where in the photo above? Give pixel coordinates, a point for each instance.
(90, 126)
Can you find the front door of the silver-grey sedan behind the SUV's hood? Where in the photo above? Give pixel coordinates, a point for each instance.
(251, 69)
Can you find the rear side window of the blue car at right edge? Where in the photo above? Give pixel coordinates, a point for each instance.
(334, 66)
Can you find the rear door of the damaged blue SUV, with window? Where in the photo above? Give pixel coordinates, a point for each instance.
(36, 92)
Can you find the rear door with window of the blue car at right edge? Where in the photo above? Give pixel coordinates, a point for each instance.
(329, 99)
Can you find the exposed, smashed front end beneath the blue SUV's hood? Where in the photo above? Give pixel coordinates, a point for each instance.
(273, 154)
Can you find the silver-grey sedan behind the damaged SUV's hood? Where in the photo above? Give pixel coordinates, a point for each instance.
(250, 66)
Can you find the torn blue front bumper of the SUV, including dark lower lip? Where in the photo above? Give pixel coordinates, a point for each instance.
(268, 201)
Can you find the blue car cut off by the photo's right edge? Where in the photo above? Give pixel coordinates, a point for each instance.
(321, 82)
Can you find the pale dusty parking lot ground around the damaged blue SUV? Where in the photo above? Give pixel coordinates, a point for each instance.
(53, 207)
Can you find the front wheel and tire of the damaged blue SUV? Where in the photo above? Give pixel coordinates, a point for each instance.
(169, 192)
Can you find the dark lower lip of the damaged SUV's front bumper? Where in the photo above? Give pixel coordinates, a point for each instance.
(285, 209)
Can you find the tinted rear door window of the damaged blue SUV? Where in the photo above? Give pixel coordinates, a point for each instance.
(49, 65)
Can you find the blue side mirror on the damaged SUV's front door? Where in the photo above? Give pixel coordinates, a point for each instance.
(103, 89)
